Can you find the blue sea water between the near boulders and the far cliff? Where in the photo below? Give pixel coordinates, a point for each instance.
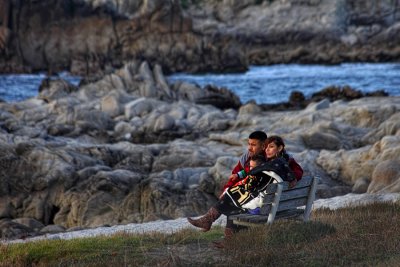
(264, 84)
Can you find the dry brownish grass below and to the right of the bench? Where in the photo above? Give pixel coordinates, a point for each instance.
(359, 236)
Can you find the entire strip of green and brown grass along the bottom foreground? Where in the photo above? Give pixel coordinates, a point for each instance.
(359, 236)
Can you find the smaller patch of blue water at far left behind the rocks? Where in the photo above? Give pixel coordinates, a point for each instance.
(18, 87)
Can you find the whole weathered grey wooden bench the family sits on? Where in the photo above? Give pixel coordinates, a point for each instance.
(279, 201)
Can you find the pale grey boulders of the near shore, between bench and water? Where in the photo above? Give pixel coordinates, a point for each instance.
(131, 148)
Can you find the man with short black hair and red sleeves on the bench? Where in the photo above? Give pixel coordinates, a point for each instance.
(255, 146)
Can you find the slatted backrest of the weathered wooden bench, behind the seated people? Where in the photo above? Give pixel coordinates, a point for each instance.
(278, 197)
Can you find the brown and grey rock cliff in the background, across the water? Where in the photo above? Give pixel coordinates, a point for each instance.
(193, 36)
